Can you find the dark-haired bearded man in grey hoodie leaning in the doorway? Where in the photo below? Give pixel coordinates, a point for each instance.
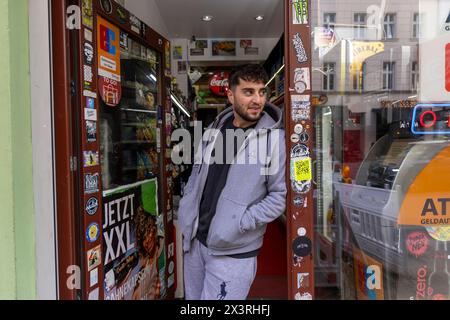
(228, 202)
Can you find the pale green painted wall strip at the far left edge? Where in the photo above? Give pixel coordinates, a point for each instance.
(17, 245)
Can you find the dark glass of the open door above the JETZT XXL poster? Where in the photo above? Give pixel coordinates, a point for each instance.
(129, 130)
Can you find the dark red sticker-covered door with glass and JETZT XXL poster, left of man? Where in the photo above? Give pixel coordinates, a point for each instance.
(118, 232)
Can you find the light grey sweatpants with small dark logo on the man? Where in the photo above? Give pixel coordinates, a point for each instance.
(209, 277)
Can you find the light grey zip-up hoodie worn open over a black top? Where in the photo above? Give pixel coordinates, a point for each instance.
(254, 194)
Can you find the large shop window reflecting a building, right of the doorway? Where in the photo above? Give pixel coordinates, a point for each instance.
(382, 149)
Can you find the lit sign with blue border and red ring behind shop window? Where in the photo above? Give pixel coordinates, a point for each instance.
(431, 119)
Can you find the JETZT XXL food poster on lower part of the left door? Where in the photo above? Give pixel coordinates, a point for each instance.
(133, 243)
